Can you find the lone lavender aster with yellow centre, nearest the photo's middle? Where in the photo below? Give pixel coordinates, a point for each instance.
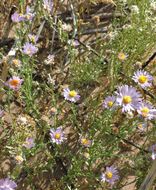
(71, 95)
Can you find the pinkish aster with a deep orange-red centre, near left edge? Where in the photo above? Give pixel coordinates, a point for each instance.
(14, 83)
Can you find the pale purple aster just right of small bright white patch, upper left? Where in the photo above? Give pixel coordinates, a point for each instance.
(29, 49)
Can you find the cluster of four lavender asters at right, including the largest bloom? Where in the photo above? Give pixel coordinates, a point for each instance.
(130, 99)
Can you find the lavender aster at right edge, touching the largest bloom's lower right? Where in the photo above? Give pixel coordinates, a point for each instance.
(147, 111)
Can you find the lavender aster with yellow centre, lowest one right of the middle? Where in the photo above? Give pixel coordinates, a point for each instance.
(110, 175)
